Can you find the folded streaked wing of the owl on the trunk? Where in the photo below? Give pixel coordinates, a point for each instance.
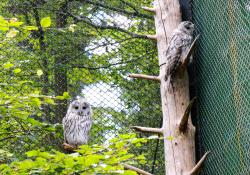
(174, 52)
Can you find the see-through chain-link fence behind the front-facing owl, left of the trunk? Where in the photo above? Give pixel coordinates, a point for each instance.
(88, 50)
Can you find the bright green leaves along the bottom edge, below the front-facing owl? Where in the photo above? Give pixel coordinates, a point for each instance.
(96, 159)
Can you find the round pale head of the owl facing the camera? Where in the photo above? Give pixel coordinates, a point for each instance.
(80, 107)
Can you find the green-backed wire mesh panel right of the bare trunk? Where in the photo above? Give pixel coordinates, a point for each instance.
(223, 62)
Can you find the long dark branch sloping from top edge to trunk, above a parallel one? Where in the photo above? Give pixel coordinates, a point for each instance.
(119, 10)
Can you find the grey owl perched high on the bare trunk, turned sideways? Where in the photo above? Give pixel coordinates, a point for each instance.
(178, 46)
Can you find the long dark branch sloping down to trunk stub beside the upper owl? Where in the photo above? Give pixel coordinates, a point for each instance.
(107, 27)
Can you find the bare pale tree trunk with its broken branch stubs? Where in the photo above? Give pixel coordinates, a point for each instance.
(179, 152)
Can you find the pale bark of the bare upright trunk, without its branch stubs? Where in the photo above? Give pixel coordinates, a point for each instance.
(179, 152)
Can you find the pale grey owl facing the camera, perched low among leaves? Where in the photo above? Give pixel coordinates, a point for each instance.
(77, 123)
